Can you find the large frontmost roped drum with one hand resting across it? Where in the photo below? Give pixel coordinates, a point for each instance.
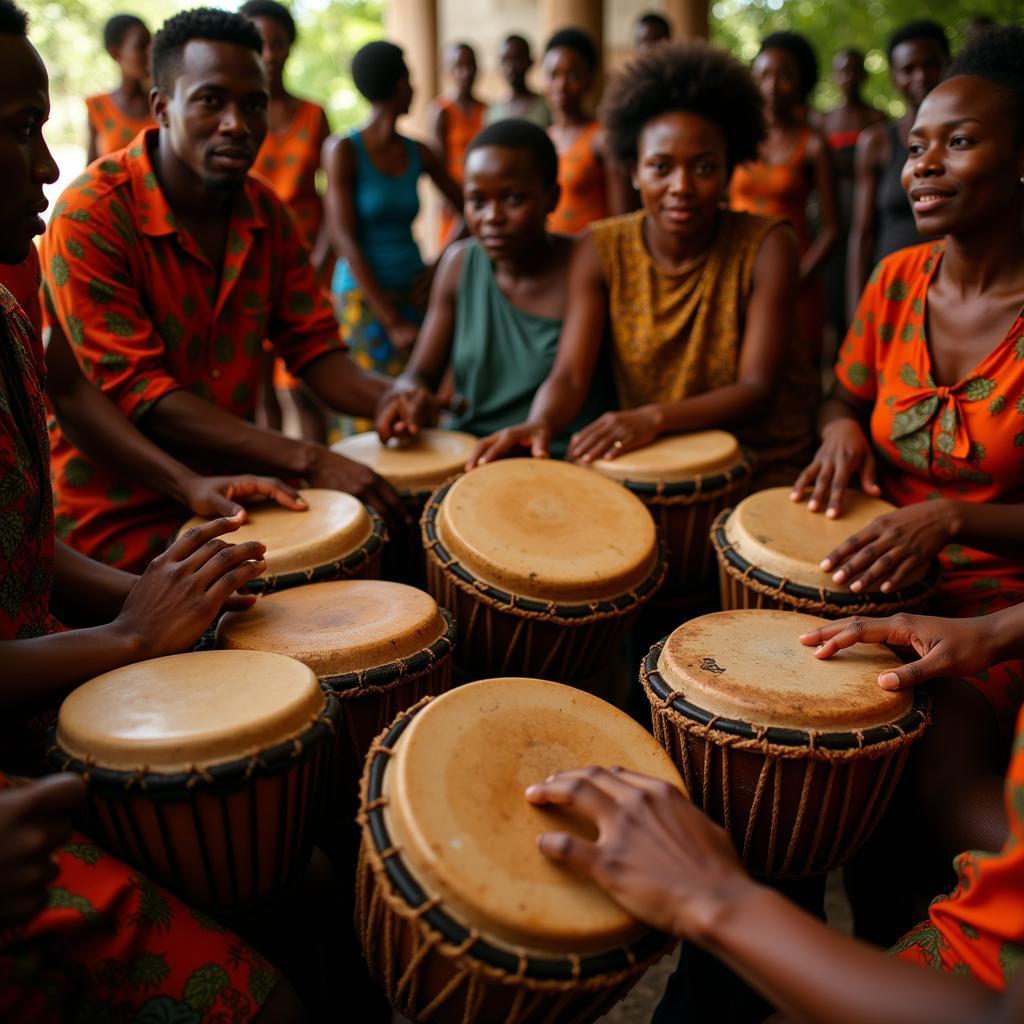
(462, 920)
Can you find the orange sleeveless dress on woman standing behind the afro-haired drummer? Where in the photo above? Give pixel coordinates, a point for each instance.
(783, 191)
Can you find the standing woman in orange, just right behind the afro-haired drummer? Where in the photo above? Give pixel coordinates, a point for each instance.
(794, 164)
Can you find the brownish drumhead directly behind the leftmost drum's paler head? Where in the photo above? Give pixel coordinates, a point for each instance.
(336, 628)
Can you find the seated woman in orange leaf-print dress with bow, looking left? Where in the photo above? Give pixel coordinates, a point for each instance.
(927, 409)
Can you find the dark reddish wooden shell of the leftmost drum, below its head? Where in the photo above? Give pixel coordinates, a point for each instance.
(223, 837)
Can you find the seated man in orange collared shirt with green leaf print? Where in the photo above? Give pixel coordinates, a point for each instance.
(166, 266)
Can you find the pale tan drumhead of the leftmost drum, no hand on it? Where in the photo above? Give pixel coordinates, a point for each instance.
(189, 710)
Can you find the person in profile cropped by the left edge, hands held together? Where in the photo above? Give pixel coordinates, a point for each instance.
(82, 935)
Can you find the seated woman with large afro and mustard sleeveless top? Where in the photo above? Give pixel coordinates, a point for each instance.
(699, 301)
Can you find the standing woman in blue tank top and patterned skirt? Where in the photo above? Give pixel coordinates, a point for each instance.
(380, 282)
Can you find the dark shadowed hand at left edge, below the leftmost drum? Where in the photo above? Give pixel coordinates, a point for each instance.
(35, 822)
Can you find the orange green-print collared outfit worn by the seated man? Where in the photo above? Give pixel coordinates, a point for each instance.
(147, 314)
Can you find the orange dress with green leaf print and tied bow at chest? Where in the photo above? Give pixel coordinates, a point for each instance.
(964, 442)
